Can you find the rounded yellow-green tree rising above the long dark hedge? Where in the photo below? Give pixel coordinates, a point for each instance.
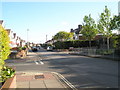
(62, 35)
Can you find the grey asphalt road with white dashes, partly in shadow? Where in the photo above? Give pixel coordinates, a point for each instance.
(81, 71)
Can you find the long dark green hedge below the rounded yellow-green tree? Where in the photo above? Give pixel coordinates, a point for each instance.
(74, 43)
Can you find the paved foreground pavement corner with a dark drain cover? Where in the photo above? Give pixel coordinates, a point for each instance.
(40, 80)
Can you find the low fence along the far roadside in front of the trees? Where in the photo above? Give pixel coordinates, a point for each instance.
(103, 53)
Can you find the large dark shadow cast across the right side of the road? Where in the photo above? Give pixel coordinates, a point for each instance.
(84, 72)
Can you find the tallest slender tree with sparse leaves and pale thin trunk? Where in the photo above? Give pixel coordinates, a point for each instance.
(104, 24)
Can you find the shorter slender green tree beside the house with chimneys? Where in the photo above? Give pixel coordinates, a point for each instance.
(89, 30)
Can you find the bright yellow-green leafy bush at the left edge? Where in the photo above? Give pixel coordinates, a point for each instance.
(4, 46)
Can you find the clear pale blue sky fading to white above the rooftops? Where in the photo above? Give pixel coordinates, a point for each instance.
(33, 20)
